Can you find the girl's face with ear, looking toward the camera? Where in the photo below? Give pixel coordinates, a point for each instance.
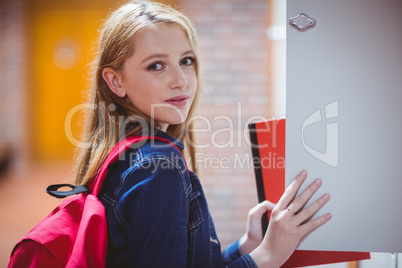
(160, 77)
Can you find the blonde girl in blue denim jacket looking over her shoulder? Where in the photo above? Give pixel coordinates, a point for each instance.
(146, 81)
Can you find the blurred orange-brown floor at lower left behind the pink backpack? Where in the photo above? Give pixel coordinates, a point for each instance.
(24, 201)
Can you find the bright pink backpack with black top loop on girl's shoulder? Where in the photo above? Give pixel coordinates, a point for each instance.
(75, 233)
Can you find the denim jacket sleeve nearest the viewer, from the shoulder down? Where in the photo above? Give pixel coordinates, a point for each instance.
(155, 212)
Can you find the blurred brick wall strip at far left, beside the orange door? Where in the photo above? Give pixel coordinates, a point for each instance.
(12, 80)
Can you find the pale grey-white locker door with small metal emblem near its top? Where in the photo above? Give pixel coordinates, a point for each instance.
(344, 118)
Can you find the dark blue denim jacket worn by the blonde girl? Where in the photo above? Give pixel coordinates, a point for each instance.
(157, 213)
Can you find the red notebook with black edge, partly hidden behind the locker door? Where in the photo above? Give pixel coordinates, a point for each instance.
(268, 148)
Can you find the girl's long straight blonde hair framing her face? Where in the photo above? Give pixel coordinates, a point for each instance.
(102, 129)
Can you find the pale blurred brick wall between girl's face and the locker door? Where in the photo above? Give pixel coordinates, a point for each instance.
(233, 41)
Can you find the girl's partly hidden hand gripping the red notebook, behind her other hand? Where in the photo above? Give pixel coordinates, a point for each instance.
(253, 236)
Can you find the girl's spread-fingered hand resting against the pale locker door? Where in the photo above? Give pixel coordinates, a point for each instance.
(290, 223)
